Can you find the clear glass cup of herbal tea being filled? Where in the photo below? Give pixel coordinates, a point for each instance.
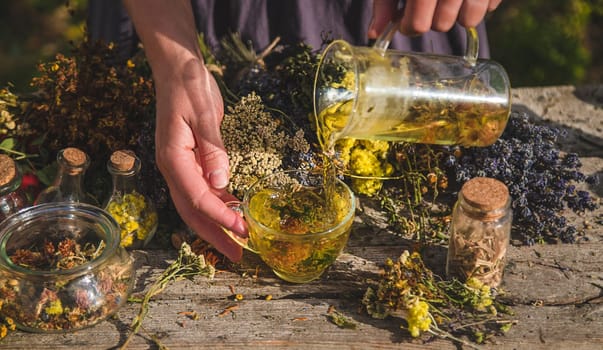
(298, 223)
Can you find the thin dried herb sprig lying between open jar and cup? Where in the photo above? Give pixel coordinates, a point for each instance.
(187, 265)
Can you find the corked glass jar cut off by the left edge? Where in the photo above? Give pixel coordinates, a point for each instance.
(12, 199)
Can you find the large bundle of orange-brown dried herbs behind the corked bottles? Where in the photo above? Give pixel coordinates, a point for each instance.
(90, 99)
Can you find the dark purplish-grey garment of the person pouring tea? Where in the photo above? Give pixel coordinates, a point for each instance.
(261, 21)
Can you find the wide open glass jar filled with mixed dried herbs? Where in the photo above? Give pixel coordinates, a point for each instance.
(62, 268)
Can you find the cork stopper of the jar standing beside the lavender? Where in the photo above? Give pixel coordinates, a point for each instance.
(485, 193)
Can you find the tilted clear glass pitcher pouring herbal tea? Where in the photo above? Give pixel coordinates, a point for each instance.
(373, 93)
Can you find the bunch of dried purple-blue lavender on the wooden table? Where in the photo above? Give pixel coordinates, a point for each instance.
(541, 179)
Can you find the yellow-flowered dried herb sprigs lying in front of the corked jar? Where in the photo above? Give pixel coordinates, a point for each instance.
(429, 304)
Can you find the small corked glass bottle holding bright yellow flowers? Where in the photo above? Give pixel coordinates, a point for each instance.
(134, 212)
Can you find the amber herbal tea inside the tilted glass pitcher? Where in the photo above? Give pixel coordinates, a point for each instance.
(463, 124)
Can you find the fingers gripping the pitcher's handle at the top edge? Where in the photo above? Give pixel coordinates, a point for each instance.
(420, 16)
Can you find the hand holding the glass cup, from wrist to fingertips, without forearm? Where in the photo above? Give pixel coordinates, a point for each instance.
(192, 158)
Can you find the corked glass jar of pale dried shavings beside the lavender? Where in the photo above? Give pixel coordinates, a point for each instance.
(480, 231)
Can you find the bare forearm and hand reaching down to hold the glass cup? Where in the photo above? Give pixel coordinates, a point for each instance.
(189, 149)
